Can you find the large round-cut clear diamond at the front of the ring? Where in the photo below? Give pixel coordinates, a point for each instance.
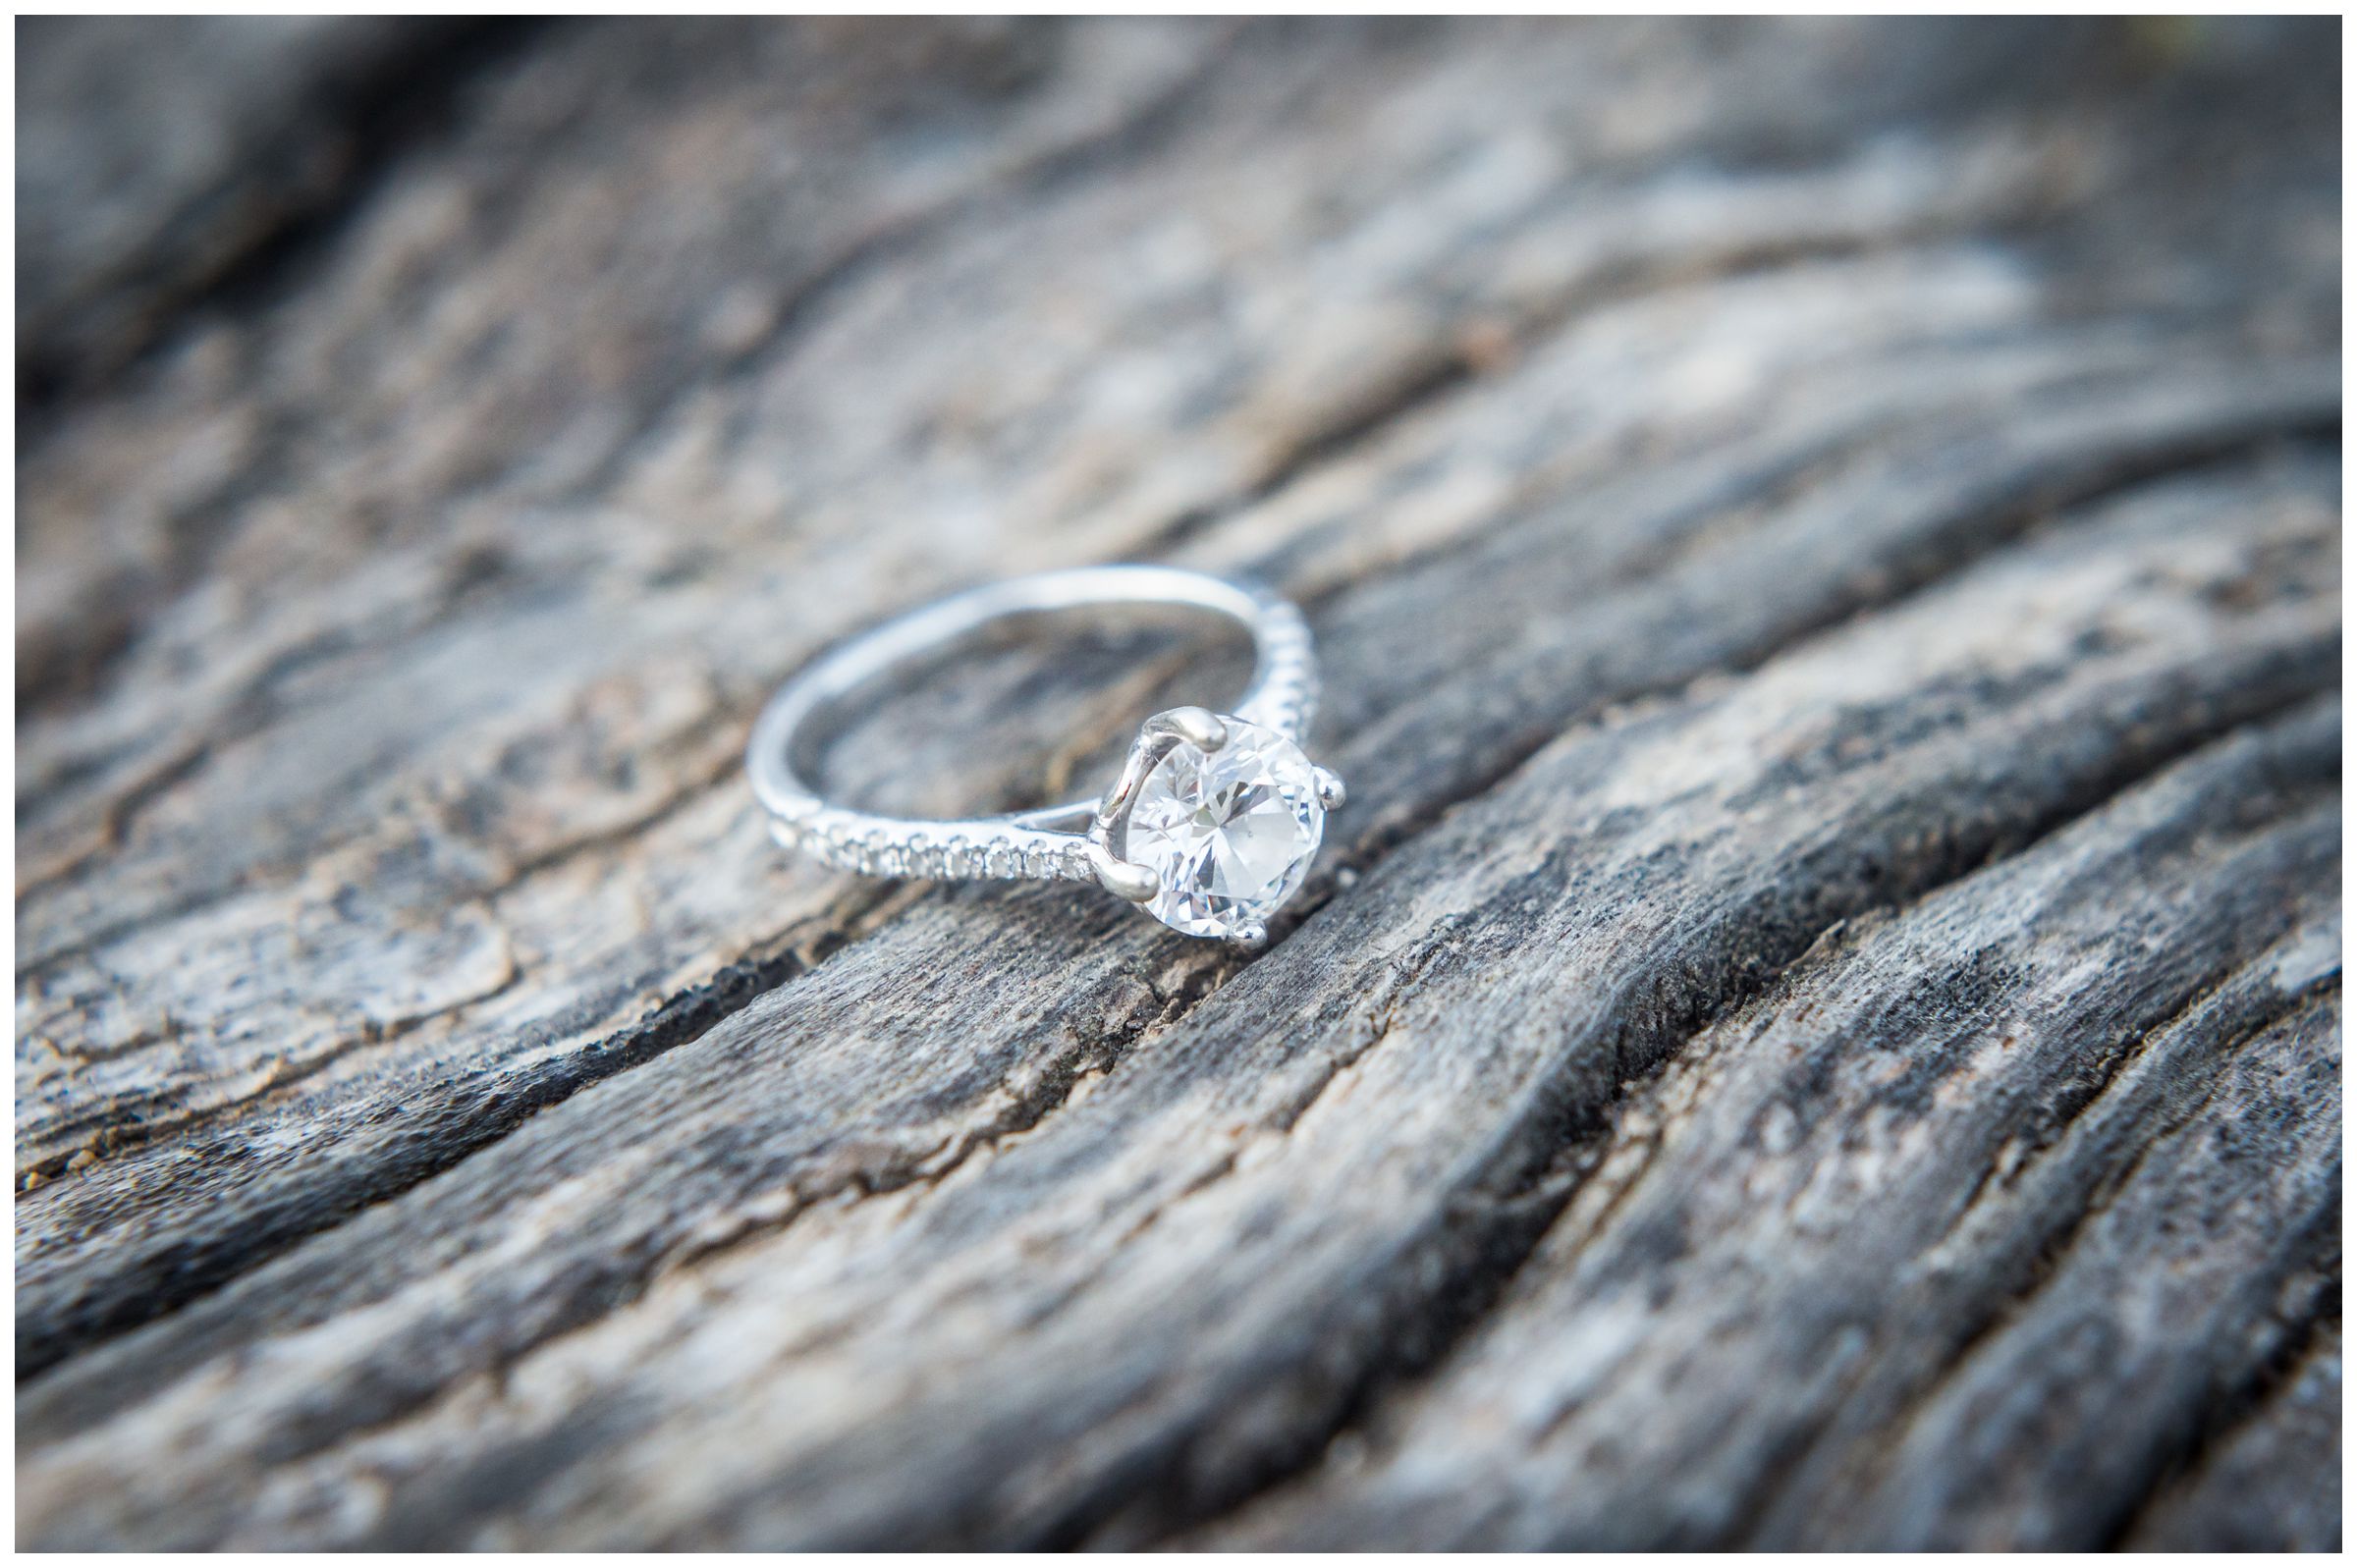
(1229, 834)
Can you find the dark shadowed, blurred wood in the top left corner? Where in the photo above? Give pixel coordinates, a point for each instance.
(169, 159)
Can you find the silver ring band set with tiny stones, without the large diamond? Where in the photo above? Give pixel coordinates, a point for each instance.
(1281, 697)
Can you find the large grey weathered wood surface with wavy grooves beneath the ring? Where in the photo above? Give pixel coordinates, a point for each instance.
(1818, 1027)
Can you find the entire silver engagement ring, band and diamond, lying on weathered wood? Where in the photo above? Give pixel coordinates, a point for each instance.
(1083, 841)
